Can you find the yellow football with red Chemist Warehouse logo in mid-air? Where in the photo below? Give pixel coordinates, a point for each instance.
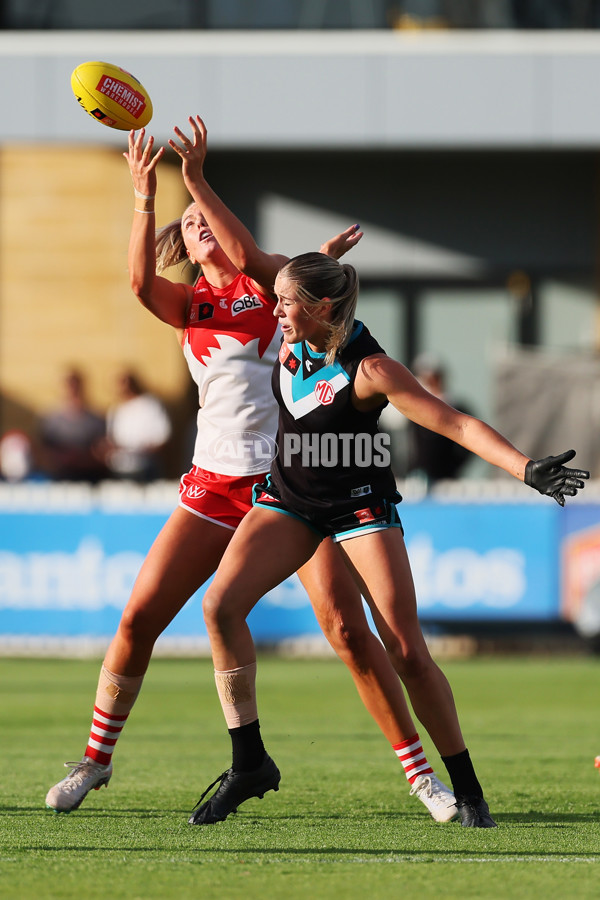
(111, 95)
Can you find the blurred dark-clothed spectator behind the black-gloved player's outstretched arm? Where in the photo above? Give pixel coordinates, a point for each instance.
(431, 455)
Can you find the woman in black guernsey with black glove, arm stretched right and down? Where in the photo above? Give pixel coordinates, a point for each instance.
(331, 478)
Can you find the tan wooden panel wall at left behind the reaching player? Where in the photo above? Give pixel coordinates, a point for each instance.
(65, 215)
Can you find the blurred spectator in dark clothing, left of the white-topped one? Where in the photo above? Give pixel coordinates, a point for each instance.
(71, 436)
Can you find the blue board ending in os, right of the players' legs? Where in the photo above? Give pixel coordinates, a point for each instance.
(483, 561)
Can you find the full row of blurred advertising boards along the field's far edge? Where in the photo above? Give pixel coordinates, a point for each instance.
(66, 574)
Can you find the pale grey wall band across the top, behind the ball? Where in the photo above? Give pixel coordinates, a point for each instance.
(352, 90)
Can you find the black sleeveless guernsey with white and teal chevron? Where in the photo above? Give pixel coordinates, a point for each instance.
(332, 459)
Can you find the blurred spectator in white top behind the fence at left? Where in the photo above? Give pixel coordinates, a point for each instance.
(138, 428)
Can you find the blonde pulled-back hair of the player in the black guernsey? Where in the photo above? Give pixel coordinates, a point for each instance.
(320, 279)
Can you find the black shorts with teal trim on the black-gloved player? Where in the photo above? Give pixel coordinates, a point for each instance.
(354, 519)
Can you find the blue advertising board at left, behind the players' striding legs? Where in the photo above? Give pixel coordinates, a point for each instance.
(68, 575)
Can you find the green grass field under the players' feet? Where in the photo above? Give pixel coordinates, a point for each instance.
(342, 825)
